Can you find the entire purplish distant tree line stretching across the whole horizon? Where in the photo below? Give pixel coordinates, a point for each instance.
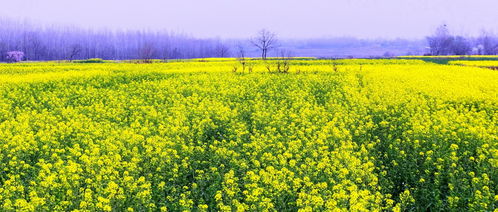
(26, 41)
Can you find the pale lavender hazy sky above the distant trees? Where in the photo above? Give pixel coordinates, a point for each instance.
(288, 18)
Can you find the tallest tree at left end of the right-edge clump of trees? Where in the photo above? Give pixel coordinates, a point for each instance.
(441, 42)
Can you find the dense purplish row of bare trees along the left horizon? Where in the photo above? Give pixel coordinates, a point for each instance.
(71, 43)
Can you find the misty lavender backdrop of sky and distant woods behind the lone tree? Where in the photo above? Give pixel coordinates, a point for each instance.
(120, 29)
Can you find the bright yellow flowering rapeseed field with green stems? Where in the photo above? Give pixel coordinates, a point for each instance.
(208, 135)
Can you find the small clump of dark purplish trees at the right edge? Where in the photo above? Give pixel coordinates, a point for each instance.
(442, 42)
